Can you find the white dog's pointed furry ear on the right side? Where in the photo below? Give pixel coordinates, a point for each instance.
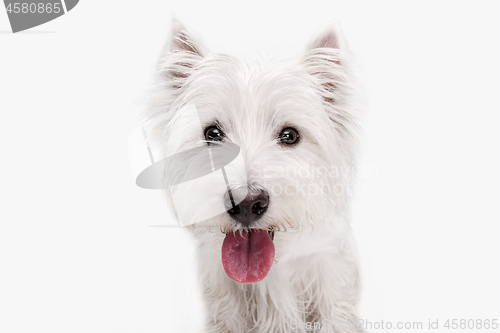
(326, 59)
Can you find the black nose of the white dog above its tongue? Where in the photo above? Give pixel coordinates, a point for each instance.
(251, 208)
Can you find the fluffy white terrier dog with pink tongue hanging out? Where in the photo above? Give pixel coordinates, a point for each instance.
(280, 257)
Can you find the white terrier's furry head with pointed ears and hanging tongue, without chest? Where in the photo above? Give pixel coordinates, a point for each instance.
(294, 134)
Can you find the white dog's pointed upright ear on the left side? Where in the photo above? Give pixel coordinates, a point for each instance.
(180, 56)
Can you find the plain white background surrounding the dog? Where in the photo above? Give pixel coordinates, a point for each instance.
(77, 250)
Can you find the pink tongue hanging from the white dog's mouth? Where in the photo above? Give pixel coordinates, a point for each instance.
(247, 257)
